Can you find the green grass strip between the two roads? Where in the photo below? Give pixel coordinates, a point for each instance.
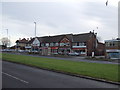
(102, 71)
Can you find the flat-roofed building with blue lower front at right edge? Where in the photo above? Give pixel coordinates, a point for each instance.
(113, 48)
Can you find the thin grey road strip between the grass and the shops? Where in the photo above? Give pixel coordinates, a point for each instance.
(75, 58)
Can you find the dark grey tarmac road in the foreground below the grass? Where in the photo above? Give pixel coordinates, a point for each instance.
(21, 76)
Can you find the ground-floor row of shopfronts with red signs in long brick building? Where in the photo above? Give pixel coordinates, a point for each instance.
(59, 50)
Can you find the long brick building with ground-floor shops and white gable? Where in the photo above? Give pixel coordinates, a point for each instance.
(85, 44)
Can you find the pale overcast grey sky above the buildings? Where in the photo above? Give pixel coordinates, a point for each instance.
(55, 17)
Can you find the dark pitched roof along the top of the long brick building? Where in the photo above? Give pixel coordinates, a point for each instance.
(57, 38)
